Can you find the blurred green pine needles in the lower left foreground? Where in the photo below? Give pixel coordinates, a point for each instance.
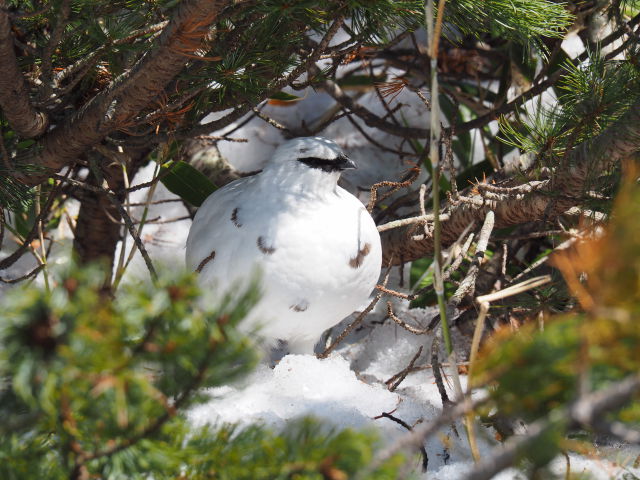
(91, 385)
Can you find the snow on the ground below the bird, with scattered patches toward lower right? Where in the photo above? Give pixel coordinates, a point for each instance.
(341, 395)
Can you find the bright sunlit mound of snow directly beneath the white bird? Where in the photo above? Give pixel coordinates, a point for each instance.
(299, 384)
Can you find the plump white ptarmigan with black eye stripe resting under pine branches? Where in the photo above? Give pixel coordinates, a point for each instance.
(316, 246)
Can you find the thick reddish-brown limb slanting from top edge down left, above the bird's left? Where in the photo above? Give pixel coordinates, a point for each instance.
(117, 105)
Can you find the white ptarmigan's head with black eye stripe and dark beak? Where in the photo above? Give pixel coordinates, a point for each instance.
(314, 154)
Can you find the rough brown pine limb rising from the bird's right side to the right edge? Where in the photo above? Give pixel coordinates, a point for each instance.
(544, 200)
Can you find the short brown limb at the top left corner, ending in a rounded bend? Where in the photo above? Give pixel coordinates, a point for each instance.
(14, 92)
